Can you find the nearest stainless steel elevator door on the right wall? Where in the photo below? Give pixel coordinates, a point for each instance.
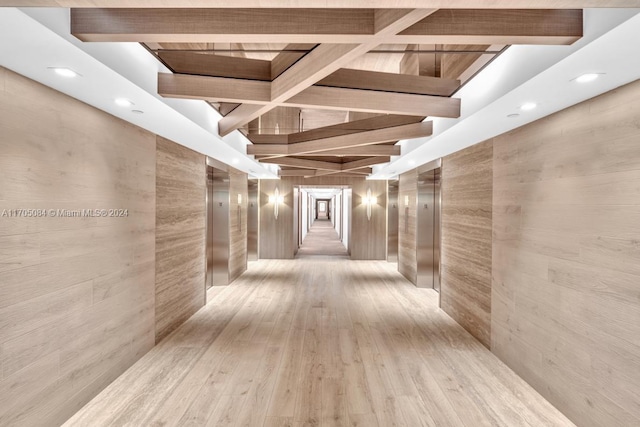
(428, 231)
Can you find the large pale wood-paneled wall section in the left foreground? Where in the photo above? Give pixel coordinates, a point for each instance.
(76, 293)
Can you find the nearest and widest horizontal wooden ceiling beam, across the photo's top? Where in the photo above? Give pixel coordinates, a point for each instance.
(330, 26)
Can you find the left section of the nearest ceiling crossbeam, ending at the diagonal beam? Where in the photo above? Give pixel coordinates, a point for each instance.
(216, 25)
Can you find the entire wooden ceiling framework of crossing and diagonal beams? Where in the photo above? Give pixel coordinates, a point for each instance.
(325, 91)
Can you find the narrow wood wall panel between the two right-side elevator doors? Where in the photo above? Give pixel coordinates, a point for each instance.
(407, 262)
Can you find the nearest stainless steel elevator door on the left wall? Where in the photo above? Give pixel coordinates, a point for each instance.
(217, 227)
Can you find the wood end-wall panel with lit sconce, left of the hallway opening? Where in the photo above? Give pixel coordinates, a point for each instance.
(276, 235)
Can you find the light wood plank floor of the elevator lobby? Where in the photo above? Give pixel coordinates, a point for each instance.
(320, 342)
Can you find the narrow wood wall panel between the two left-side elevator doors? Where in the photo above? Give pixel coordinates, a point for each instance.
(238, 185)
